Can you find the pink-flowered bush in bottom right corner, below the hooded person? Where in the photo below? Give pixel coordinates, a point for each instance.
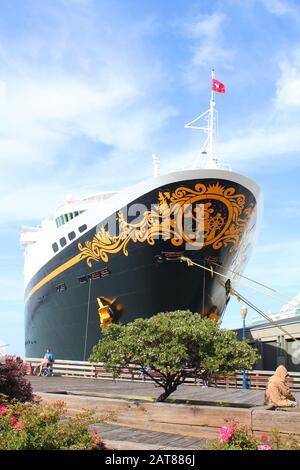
(233, 437)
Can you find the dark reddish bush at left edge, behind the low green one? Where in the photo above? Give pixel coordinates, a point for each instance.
(13, 384)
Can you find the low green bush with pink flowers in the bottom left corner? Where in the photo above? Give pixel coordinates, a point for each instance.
(36, 427)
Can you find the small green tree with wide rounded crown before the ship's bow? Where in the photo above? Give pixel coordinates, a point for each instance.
(172, 345)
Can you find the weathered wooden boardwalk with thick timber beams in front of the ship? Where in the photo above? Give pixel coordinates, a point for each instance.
(188, 420)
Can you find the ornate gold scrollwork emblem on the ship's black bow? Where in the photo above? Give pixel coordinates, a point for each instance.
(222, 214)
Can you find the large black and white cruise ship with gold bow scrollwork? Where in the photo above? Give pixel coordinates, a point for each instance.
(118, 256)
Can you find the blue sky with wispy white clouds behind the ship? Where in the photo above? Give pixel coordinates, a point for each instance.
(89, 89)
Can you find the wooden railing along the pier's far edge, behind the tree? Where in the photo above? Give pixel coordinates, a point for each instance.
(256, 379)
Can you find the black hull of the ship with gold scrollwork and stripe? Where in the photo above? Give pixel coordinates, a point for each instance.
(145, 273)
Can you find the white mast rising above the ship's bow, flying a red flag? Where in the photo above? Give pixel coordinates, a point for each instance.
(208, 157)
